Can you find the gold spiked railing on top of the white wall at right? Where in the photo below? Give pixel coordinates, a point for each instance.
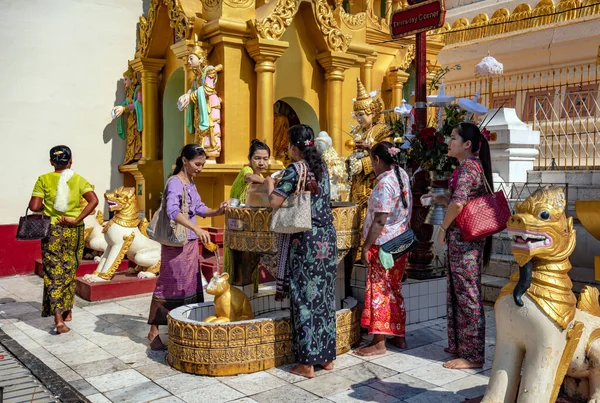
(562, 103)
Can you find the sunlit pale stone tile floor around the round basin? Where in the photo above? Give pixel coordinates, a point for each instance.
(106, 358)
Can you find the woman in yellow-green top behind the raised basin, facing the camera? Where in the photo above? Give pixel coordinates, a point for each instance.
(259, 162)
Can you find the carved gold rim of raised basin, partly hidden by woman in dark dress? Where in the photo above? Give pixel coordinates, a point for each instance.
(247, 229)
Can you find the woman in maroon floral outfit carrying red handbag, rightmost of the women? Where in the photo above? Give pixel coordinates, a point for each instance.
(466, 318)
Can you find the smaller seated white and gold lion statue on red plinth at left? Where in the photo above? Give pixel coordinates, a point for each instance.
(125, 235)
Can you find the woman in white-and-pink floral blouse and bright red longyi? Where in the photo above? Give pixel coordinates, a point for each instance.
(388, 215)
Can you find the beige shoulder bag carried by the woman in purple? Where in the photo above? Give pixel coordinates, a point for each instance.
(166, 231)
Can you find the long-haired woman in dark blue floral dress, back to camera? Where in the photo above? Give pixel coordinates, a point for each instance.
(309, 257)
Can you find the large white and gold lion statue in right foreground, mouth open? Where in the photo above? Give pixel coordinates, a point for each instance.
(537, 314)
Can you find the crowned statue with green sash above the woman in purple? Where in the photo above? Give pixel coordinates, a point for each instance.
(204, 119)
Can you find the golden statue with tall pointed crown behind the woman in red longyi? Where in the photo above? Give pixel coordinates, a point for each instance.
(371, 129)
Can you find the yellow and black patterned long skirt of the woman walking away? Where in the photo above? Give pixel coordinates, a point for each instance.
(62, 252)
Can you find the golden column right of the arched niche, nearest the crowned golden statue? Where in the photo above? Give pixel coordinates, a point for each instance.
(335, 64)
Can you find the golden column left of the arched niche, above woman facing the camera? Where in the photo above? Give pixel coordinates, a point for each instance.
(265, 52)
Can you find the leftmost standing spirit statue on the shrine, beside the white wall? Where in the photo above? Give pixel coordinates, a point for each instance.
(132, 131)
